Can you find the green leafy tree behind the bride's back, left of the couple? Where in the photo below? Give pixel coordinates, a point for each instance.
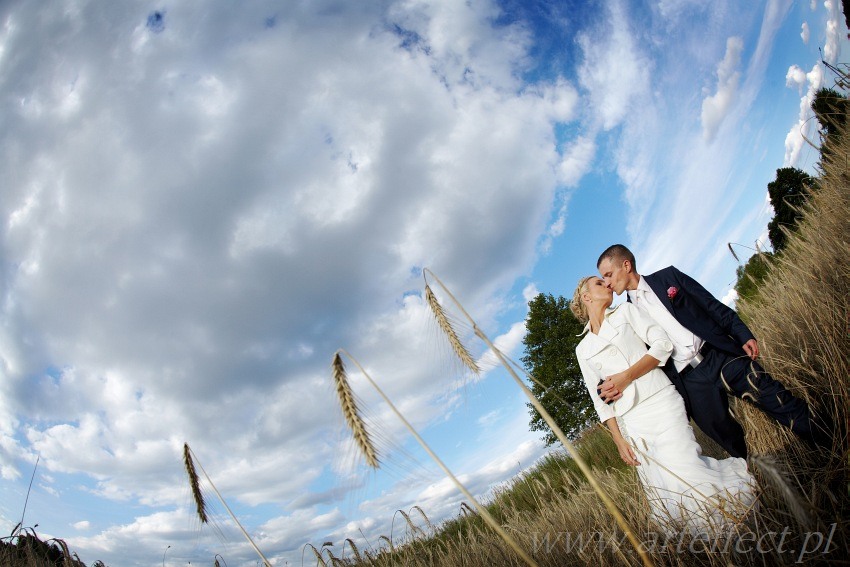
(551, 359)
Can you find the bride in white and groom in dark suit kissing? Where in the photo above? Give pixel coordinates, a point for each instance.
(670, 352)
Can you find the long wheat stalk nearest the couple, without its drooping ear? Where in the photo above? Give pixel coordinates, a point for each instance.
(582, 465)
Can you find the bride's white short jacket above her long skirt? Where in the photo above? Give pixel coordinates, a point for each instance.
(621, 342)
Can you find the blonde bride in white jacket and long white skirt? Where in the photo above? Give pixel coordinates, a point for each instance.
(684, 489)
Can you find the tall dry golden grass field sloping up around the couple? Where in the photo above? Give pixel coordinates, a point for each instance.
(801, 316)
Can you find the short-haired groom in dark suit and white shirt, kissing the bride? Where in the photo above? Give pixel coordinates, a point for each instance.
(714, 352)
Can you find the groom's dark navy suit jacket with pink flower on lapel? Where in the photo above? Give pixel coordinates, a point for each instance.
(699, 311)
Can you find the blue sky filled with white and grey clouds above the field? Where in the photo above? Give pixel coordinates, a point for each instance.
(201, 202)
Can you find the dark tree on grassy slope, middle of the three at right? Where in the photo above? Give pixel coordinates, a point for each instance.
(788, 193)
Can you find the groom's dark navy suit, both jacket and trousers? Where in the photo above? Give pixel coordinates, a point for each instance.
(726, 367)
